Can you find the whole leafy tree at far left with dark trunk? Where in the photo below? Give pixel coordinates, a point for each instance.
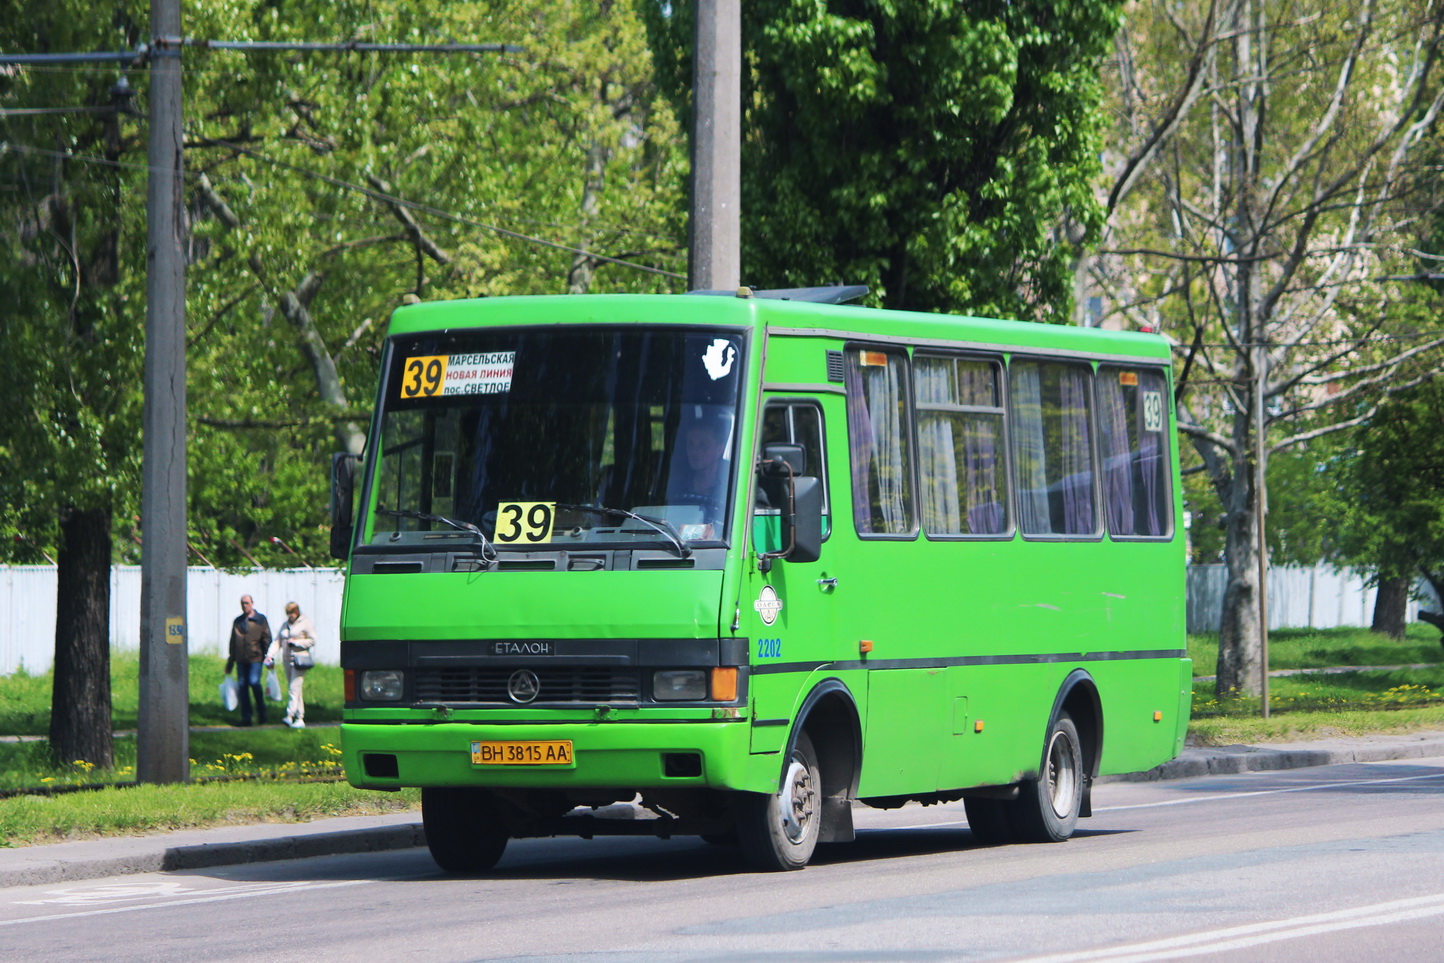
(70, 350)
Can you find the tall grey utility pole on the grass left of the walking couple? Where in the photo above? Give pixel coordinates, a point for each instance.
(165, 691)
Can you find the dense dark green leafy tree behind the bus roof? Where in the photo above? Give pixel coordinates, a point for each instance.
(941, 154)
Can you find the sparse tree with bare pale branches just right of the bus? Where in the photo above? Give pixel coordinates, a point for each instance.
(1266, 183)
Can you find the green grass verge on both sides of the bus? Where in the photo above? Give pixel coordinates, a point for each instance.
(275, 762)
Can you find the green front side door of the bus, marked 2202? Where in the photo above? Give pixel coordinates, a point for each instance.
(792, 622)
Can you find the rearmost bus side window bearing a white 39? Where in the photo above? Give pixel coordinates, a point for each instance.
(1133, 409)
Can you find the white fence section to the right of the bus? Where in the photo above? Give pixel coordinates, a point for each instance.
(1318, 597)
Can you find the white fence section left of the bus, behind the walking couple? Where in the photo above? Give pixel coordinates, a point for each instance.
(213, 601)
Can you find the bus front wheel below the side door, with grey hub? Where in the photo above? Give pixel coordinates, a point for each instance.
(780, 831)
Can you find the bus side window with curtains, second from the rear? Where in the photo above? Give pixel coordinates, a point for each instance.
(1053, 450)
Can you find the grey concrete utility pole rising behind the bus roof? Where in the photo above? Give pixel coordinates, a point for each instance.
(716, 261)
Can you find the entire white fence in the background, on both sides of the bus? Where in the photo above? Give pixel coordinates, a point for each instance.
(1299, 598)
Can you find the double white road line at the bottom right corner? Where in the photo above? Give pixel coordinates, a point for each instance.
(1257, 933)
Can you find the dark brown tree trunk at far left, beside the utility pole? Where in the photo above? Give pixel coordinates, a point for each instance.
(80, 702)
